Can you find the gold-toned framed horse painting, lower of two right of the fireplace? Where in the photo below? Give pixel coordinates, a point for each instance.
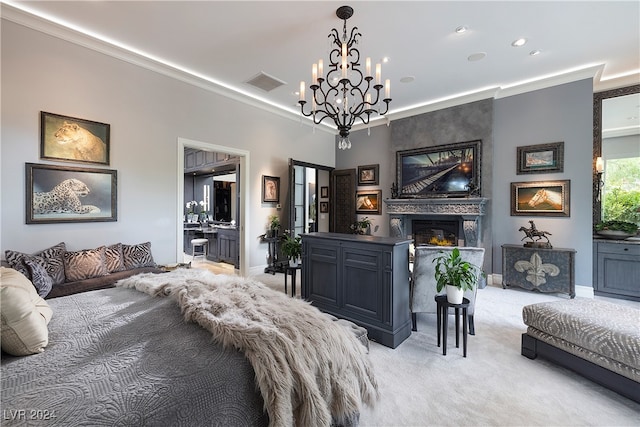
(542, 198)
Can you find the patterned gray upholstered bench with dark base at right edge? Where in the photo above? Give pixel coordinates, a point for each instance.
(597, 339)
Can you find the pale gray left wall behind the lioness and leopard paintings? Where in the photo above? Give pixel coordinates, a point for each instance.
(148, 112)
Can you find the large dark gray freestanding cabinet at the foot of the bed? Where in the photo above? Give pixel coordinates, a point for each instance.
(364, 279)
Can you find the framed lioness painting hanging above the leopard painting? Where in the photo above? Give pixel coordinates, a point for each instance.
(73, 140)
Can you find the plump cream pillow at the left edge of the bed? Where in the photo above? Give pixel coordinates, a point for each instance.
(24, 314)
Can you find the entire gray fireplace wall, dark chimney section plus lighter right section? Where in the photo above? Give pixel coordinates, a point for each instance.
(561, 113)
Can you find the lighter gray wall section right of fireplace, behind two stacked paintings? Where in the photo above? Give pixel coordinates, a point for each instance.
(562, 113)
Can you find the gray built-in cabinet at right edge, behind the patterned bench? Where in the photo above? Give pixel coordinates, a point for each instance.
(616, 269)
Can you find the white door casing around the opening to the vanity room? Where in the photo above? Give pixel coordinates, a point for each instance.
(243, 194)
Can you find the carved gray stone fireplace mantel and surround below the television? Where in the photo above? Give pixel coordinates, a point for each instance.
(468, 210)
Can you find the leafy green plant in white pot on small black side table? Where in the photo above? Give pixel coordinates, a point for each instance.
(455, 274)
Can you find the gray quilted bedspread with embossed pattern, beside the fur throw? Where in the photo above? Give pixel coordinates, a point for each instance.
(120, 357)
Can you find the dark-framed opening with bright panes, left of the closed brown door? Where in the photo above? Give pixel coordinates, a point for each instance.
(308, 189)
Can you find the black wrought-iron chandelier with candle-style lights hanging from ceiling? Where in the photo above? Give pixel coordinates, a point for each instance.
(345, 93)
